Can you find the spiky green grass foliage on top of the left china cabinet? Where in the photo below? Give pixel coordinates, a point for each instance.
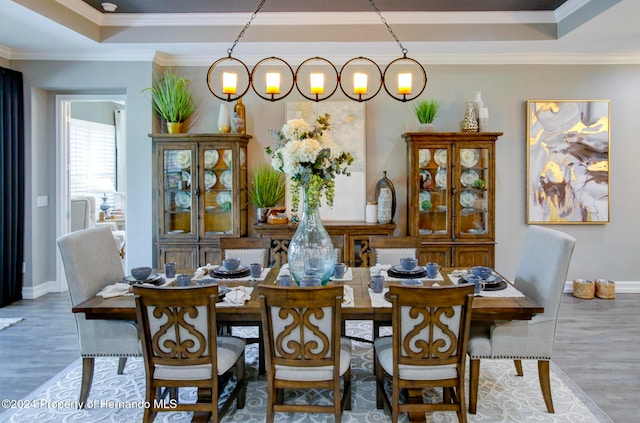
(171, 97)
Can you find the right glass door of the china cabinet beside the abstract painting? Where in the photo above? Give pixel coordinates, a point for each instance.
(472, 197)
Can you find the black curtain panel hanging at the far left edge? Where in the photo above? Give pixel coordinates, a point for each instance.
(12, 185)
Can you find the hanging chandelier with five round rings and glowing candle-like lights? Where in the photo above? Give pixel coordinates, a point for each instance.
(316, 79)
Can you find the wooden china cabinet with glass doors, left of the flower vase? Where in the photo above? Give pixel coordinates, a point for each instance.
(199, 194)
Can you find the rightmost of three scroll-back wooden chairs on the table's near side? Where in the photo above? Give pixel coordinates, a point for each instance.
(427, 348)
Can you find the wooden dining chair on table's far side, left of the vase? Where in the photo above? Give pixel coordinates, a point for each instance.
(248, 250)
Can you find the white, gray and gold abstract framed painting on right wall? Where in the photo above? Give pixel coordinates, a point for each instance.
(568, 161)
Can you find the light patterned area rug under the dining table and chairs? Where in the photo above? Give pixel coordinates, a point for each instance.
(503, 397)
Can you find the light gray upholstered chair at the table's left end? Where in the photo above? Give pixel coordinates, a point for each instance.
(91, 262)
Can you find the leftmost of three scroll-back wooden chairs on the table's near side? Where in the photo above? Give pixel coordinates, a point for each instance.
(181, 348)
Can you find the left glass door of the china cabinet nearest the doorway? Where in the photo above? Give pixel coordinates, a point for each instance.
(177, 191)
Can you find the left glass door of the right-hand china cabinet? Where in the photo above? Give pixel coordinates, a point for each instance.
(433, 198)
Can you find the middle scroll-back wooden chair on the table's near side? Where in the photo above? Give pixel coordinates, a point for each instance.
(304, 348)
